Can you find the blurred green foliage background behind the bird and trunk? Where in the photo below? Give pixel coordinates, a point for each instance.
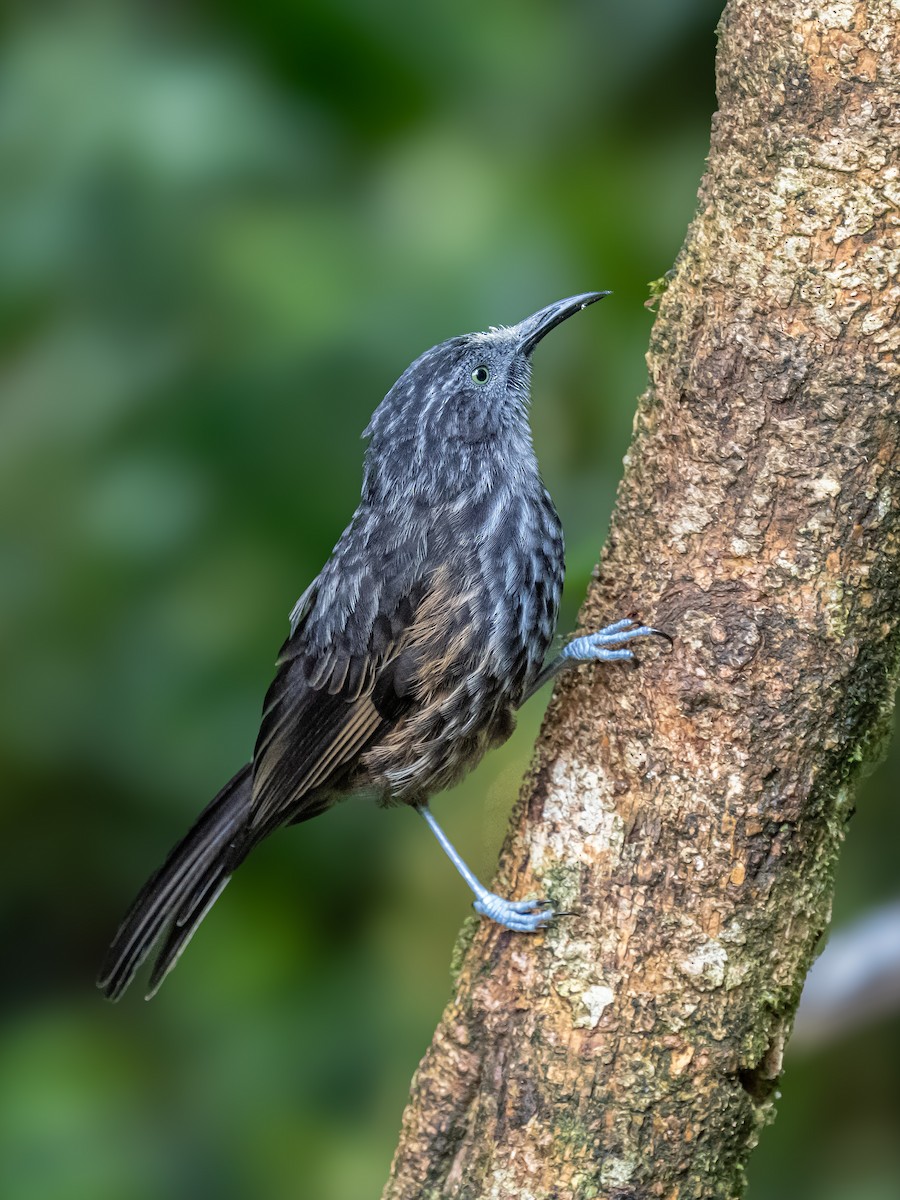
(225, 230)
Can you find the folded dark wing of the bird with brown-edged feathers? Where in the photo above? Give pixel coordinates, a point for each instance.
(339, 686)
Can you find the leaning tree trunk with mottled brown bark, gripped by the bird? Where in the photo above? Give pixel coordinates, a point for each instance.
(693, 812)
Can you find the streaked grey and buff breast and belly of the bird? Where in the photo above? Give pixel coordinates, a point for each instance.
(479, 639)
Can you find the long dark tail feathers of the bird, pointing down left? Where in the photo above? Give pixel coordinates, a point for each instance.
(182, 892)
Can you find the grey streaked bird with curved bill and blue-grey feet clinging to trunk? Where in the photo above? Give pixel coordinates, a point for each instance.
(411, 652)
